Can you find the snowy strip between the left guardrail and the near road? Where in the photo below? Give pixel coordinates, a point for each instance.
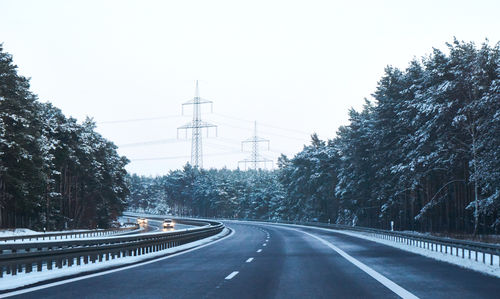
(9, 282)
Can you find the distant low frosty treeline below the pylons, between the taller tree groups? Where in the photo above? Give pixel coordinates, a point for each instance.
(208, 193)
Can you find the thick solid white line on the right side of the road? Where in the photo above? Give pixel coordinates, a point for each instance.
(397, 289)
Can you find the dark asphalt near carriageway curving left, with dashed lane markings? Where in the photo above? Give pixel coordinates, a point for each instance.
(268, 261)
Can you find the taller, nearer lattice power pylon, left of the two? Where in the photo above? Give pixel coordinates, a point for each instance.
(196, 126)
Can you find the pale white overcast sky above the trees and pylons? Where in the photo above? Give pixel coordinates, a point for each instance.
(296, 67)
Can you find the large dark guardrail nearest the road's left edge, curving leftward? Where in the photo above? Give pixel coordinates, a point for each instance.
(20, 257)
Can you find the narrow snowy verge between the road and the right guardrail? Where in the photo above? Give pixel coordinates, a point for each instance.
(448, 258)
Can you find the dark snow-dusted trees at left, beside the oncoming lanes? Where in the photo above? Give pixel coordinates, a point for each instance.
(54, 172)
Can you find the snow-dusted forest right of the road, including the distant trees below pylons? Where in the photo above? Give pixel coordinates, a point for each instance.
(424, 152)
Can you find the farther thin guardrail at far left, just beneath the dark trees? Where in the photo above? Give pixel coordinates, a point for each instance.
(69, 235)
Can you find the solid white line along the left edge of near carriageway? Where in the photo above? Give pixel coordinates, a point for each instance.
(32, 289)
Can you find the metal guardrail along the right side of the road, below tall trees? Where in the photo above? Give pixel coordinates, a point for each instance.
(466, 249)
